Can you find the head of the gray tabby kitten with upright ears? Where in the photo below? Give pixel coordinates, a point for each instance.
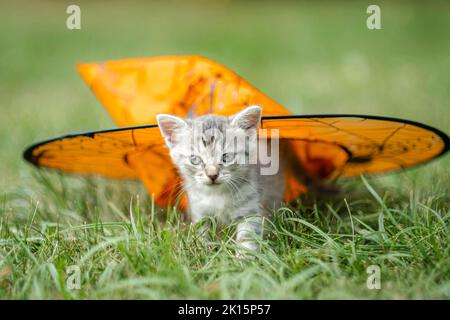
(212, 150)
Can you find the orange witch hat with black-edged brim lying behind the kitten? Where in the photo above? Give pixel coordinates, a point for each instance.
(134, 91)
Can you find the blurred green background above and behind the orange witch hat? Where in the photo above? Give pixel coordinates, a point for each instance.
(312, 57)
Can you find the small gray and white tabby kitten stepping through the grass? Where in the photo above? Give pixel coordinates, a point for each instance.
(211, 153)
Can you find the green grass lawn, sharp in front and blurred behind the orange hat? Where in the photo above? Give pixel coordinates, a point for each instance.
(313, 58)
